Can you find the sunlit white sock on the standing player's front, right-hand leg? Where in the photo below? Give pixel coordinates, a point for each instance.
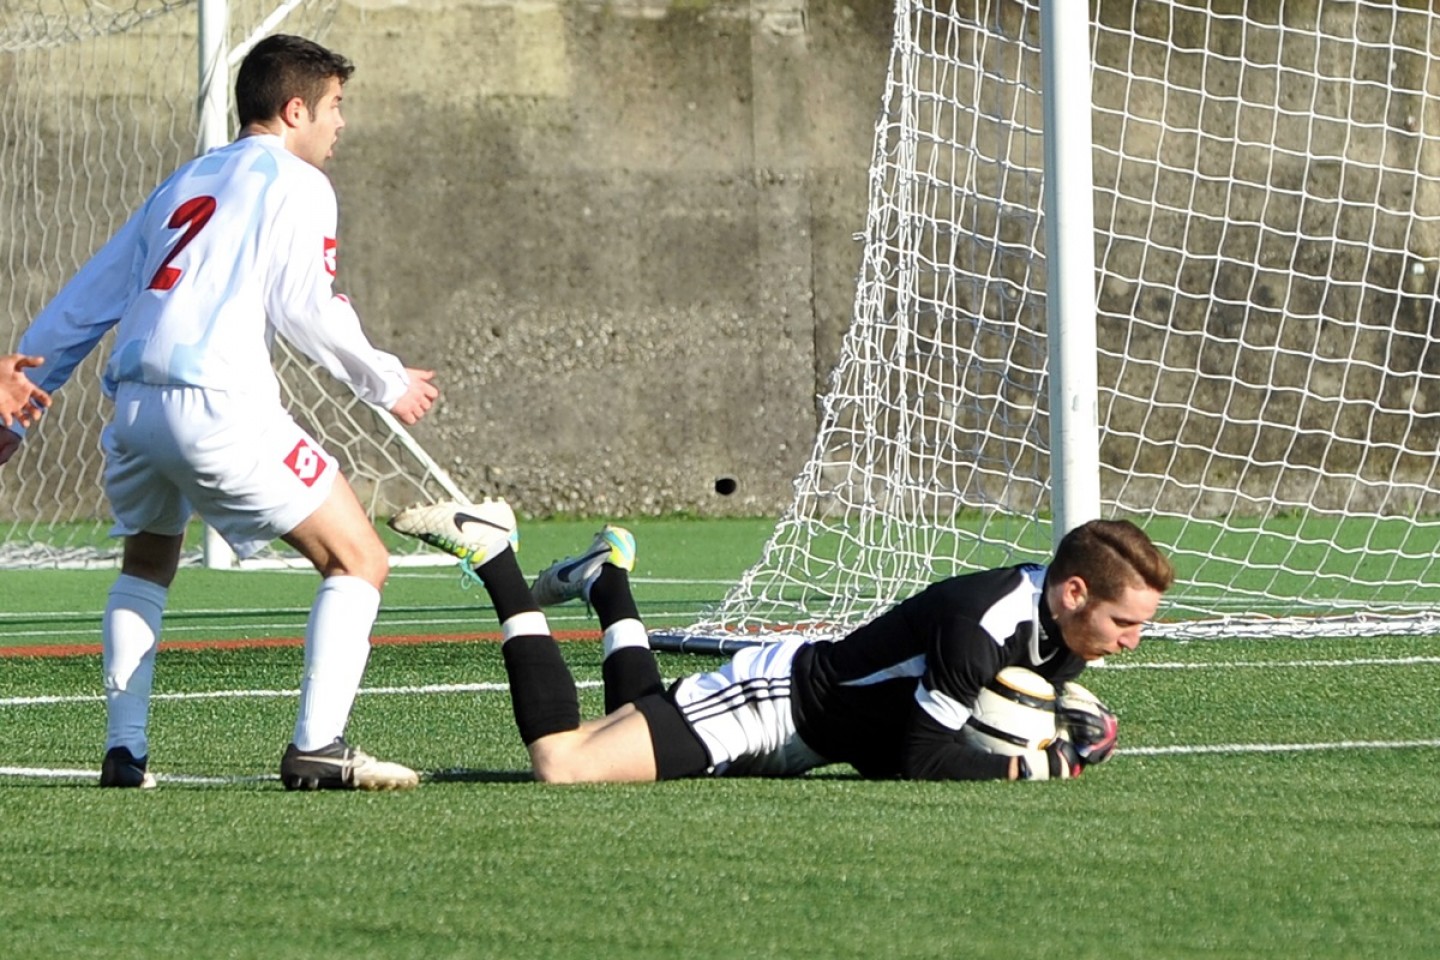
(338, 646)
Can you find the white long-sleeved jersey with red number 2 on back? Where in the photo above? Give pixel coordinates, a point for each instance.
(235, 247)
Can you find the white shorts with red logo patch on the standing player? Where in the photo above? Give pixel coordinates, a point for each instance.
(241, 463)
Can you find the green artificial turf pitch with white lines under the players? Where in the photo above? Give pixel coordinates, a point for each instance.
(1271, 800)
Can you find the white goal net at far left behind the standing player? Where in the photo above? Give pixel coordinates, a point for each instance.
(99, 104)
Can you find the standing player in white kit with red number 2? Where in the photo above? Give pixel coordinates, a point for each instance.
(237, 247)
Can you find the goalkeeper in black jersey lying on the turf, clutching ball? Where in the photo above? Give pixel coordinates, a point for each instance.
(891, 699)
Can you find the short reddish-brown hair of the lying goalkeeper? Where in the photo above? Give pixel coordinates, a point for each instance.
(1111, 556)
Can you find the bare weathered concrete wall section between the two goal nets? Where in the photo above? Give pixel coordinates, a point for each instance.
(623, 234)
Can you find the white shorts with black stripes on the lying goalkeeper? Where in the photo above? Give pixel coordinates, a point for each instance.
(742, 715)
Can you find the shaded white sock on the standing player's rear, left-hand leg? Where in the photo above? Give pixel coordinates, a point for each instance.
(130, 634)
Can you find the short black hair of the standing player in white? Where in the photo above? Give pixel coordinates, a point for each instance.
(282, 68)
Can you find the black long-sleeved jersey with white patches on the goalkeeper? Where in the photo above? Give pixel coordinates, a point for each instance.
(892, 697)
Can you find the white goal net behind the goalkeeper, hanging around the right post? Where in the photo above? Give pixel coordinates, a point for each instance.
(1266, 238)
